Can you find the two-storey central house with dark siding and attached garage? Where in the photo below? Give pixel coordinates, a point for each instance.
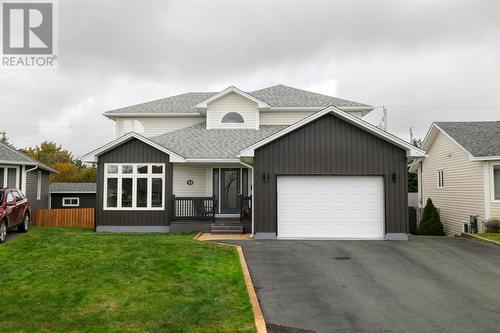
(288, 163)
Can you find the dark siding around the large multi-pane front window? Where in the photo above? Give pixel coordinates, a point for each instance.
(133, 151)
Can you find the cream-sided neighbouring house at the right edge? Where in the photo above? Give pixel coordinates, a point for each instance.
(462, 172)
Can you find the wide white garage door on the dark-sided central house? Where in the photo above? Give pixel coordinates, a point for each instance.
(331, 207)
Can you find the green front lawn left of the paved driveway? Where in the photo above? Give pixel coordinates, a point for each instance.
(61, 280)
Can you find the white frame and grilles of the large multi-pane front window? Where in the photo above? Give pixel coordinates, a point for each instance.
(134, 175)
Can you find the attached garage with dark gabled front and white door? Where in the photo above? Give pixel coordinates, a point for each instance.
(331, 176)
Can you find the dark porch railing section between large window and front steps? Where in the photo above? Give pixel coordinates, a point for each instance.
(193, 208)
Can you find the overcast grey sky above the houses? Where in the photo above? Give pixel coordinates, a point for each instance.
(425, 60)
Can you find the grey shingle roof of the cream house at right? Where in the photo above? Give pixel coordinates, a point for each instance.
(480, 138)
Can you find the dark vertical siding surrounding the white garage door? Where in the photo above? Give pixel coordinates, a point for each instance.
(331, 146)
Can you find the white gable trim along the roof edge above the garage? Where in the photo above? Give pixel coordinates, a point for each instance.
(411, 151)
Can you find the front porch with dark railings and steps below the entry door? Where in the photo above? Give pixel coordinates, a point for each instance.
(201, 214)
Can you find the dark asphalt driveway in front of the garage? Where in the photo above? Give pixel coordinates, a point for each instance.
(424, 285)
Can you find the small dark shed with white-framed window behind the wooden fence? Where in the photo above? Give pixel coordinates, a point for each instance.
(72, 195)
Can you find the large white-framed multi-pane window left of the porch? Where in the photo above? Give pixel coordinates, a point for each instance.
(134, 186)
